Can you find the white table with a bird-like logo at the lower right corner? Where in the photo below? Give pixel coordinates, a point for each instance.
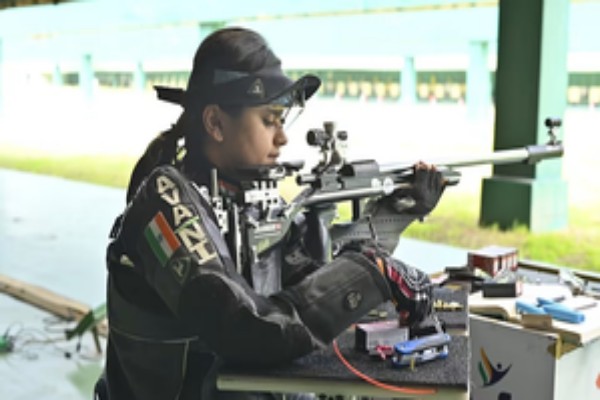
(513, 358)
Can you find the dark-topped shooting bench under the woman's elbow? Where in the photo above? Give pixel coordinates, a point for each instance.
(322, 372)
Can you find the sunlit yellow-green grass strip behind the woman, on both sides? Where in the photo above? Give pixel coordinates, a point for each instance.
(454, 222)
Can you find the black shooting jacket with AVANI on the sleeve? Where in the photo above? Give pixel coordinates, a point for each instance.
(178, 309)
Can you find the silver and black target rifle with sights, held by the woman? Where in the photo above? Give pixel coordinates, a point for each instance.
(257, 219)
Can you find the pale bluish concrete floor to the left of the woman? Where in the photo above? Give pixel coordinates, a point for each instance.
(53, 235)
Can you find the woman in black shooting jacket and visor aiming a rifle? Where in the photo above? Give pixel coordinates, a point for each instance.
(177, 306)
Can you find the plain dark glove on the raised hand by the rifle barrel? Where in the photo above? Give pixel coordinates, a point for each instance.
(423, 195)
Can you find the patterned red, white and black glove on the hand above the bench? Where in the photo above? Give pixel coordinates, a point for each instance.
(411, 288)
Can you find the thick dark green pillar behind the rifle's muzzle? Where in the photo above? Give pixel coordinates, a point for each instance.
(531, 83)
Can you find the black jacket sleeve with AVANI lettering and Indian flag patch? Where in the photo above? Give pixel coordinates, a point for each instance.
(168, 232)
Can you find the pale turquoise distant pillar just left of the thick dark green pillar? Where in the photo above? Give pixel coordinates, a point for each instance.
(479, 93)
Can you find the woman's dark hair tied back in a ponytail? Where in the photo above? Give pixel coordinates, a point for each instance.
(235, 49)
